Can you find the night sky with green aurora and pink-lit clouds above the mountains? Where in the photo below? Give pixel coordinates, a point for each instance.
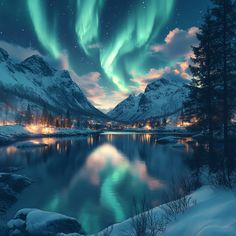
(111, 47)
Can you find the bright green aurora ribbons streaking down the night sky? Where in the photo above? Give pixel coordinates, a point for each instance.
(125, 53)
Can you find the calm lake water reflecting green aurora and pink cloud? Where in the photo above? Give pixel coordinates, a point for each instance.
(95, 178)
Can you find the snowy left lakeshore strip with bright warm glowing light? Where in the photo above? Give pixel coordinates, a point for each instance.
(11, 133)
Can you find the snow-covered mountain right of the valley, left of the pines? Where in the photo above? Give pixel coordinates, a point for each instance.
(161, 98)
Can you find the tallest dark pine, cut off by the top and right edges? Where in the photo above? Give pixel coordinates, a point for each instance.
(224, 12)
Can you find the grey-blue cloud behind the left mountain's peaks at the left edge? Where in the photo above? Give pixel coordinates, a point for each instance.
(17, 52)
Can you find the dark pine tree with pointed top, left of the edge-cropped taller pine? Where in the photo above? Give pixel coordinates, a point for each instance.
(201, 99)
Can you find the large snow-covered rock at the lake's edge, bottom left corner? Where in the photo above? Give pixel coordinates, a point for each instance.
(35, 222)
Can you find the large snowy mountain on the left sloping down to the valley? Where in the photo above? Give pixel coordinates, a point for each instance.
(35, 82)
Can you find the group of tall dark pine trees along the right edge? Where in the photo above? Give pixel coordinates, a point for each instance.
(212, 97)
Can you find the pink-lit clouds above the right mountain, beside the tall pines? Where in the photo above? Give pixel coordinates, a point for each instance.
(175, 53)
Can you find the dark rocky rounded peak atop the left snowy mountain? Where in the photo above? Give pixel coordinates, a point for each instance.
(37, 65)
